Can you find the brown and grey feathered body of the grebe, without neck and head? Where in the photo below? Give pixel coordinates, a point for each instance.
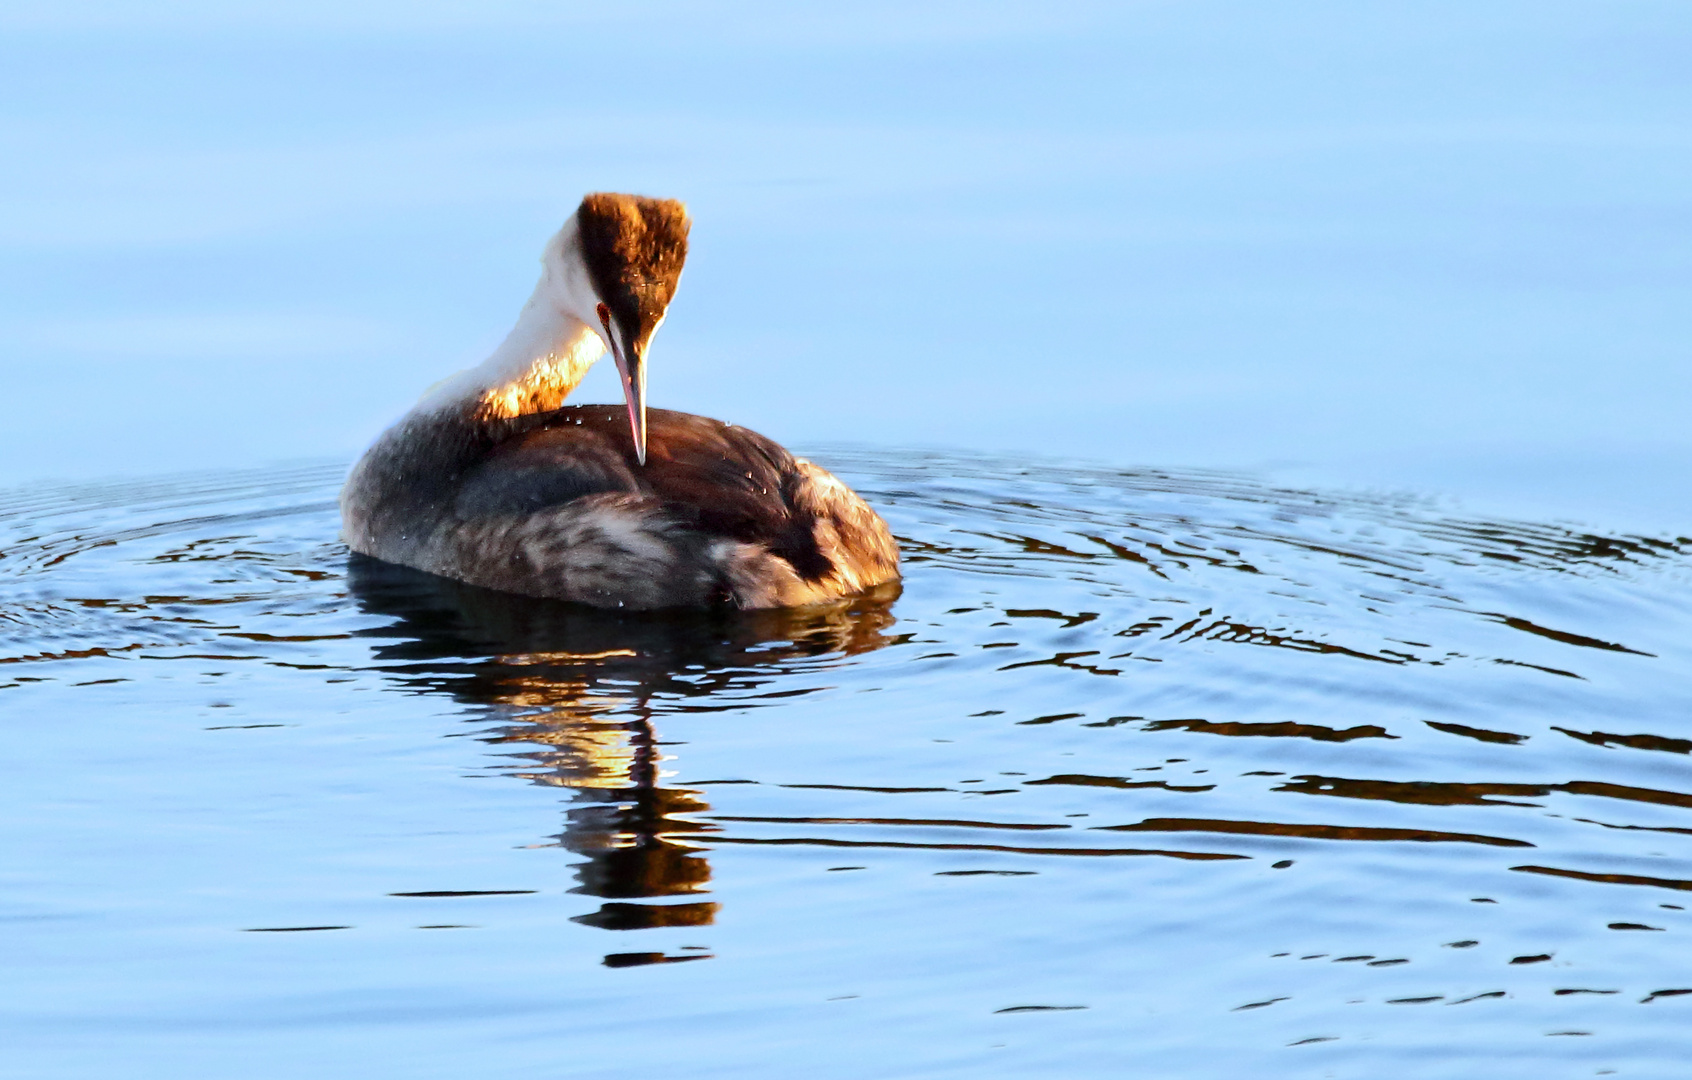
(556, 505)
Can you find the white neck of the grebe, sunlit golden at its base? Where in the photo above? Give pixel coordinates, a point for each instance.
(532, 372)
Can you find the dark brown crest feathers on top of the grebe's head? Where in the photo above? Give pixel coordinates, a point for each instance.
(635, 250)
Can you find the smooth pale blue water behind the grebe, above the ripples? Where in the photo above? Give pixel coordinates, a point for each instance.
(1437, 248)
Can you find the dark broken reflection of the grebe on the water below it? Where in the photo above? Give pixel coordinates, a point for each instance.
(580, 692)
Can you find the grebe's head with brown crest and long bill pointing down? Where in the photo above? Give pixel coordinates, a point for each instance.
(618, 273)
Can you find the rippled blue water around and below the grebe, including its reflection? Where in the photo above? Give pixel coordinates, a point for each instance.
(1143, 774)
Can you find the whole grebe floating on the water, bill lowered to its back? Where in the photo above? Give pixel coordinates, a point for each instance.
(492, 482)
